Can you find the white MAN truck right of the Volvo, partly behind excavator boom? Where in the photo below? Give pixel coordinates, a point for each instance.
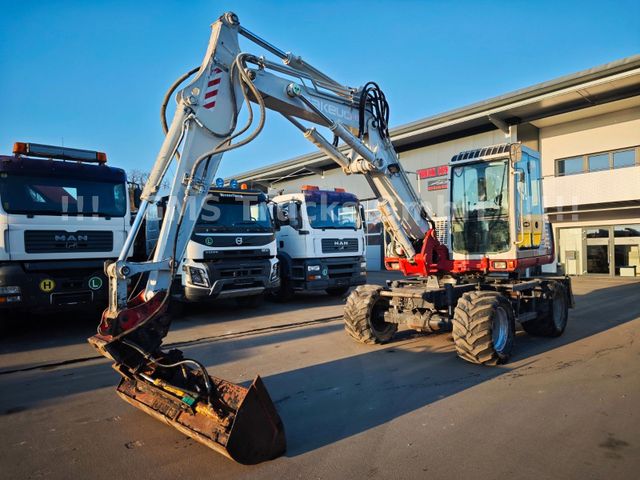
(321, 241)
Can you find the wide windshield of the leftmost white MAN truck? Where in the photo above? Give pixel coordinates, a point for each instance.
(52, 195)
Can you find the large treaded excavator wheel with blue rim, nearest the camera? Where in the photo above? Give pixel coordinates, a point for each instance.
(483, 328)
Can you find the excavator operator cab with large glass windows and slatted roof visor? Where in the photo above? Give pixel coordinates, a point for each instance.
(496, 214)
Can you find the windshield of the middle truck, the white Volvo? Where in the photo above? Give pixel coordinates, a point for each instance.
(234, 213)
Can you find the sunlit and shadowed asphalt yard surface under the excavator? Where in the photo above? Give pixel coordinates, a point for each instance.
(567, 407)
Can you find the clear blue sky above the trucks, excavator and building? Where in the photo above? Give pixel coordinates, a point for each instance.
(92, 74)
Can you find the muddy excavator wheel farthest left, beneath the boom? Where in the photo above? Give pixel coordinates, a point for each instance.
(364, 316)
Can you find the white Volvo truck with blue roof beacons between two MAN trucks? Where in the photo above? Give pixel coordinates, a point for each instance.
(232, 251)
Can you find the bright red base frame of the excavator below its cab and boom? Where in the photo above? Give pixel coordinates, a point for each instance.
(433, 259)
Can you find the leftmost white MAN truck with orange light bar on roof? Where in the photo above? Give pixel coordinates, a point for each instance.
(63, 212)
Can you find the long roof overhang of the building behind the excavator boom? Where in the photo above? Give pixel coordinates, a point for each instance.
(597, 86)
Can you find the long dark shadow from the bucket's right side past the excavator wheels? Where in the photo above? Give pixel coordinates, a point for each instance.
(325, 403)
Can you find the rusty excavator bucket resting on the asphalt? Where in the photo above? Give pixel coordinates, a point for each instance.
(240, 423)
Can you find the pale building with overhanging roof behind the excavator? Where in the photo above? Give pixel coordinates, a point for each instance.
(586, 127)
